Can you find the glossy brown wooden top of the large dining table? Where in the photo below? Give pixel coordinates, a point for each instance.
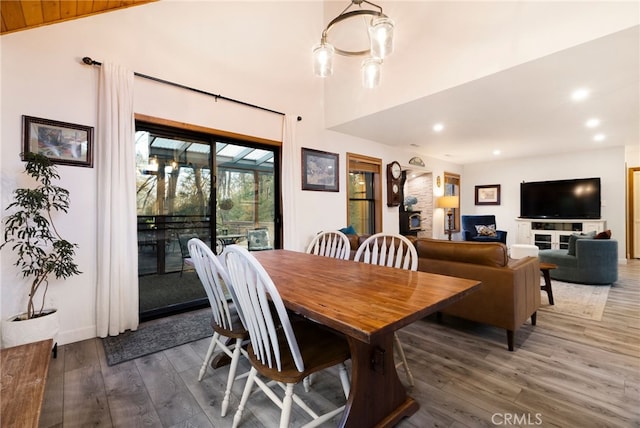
(359, 299)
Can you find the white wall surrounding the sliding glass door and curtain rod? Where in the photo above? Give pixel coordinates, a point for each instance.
(227, 48)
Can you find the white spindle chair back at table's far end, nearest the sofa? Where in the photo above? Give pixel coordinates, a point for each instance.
(390, 250)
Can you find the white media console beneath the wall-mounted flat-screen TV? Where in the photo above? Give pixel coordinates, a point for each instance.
(554, 234)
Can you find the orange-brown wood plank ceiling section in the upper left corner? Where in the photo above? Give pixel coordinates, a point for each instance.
(20, 15)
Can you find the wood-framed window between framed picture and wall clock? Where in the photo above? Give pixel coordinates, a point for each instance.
(364, 195)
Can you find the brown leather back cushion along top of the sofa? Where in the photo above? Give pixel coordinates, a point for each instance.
(482, 253)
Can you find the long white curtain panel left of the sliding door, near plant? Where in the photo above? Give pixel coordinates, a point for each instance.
(117, 264)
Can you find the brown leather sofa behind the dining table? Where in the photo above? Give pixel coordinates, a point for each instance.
(510, 290)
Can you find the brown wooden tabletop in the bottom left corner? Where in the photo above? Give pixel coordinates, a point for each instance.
(24, 373)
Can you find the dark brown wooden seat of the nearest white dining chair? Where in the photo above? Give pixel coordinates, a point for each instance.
(318, 346)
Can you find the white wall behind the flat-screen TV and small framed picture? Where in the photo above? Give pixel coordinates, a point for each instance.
(609, 165)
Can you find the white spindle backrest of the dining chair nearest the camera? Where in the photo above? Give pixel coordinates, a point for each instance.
(257, 297)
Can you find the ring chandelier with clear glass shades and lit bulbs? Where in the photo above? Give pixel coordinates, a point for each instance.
(380, 28)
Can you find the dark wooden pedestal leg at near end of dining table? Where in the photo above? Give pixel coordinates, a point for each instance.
(377, 397)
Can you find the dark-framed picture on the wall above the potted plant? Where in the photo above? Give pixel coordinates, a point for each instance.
(63, 143)
